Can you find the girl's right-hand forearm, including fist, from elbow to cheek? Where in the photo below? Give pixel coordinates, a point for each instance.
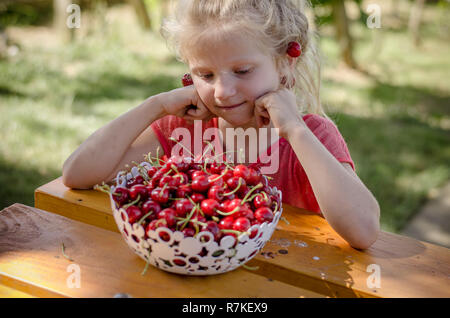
(346, 203)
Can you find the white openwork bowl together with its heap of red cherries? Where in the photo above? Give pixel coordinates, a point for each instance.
(194, 217)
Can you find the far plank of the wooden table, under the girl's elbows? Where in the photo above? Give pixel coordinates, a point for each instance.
(304, 251)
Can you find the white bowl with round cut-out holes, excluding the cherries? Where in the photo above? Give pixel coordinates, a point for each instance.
(190, 255)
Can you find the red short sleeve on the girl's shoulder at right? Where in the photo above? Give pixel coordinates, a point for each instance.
(328, 134)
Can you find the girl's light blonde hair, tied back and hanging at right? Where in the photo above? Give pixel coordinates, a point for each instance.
(274, 23)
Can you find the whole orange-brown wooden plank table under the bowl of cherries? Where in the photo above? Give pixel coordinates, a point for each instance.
(304, 258)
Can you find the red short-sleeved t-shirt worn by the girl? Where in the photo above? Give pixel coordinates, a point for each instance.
(290, 177)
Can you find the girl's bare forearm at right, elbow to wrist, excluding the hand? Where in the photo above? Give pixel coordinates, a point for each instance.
(346, 203)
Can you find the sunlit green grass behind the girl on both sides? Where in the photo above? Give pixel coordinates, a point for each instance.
(395, 115)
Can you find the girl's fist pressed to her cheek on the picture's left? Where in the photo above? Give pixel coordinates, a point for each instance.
(184, 102)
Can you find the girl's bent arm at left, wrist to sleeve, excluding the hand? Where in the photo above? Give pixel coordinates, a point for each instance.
(108, 149)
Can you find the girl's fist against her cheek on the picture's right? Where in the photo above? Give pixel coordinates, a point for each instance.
(280, 107)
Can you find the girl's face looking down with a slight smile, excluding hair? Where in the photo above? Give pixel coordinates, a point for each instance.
(230, 74)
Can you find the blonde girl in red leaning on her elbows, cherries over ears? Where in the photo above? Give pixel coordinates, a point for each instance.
(252, 64)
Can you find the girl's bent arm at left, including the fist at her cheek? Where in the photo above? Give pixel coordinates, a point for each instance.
(128, 138)
